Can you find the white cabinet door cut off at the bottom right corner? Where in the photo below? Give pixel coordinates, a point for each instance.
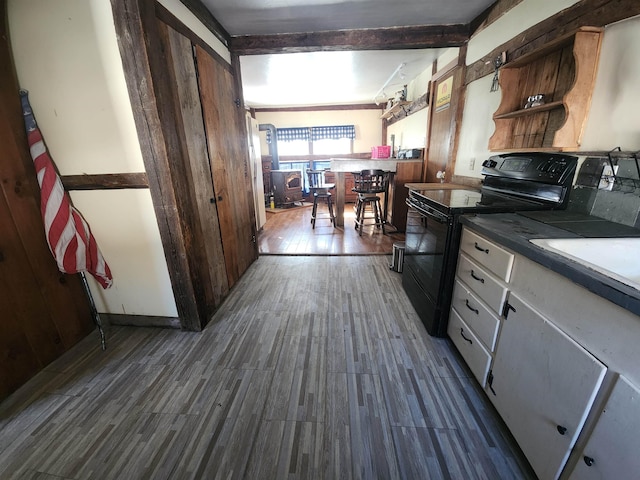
(613, 447)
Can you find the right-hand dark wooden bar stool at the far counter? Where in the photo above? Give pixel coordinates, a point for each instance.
(368, 185)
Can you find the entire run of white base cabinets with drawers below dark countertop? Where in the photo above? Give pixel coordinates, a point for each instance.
(550, 355)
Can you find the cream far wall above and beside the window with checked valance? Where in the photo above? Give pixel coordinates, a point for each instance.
(367, 122)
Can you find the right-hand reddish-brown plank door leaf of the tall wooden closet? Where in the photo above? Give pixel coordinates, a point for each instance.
(226, 140)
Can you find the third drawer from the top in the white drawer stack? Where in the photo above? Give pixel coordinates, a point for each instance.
(476, 314)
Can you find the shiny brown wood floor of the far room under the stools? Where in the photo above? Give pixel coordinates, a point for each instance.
(289, 232)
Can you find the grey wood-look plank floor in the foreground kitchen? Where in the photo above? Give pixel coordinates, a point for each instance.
(314, 367)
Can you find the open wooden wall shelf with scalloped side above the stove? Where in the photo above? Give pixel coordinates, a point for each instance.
(564, 71)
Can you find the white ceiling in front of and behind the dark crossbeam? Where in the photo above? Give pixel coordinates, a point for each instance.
(333, 78)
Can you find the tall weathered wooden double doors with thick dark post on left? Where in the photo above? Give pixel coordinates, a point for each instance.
(194, 146)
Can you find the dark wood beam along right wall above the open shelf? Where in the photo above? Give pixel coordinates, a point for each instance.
(595, 13)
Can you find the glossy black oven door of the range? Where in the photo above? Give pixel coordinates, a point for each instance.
(427, 246)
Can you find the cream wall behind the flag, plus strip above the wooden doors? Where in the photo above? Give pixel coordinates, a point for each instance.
(67, 56)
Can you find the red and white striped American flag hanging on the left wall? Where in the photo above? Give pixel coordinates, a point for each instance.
(69, 237)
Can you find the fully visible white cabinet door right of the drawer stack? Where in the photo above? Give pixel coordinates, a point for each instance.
(543, 386)
